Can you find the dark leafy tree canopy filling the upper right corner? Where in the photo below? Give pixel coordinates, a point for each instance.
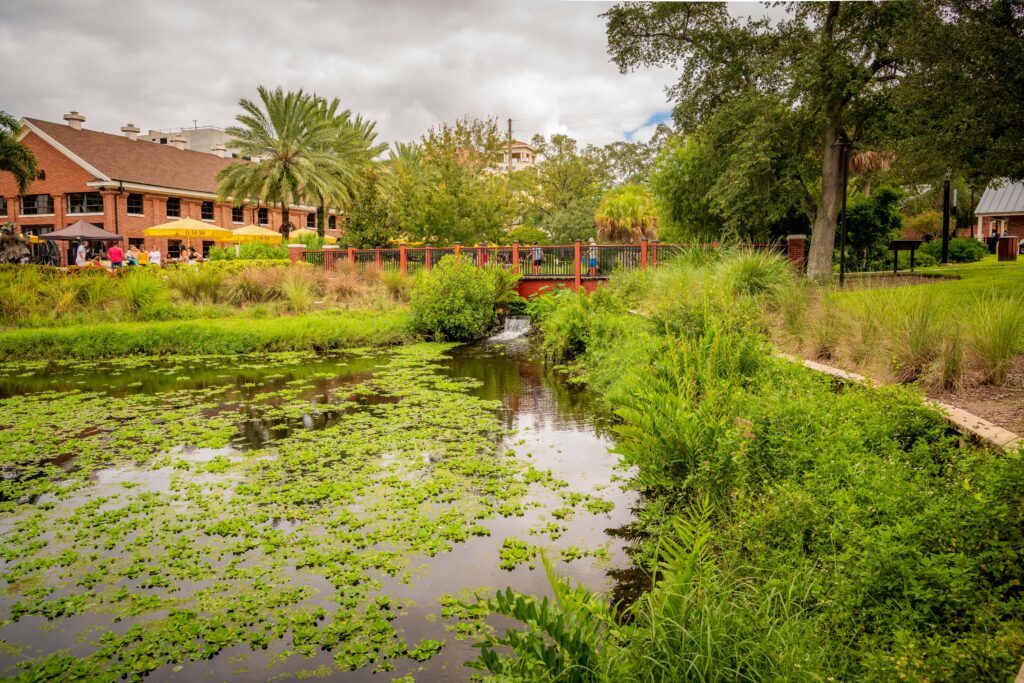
(959, 106)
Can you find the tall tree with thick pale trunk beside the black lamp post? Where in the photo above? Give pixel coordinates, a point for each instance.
(831, 67)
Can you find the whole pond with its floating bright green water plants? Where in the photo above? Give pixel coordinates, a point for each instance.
(290, 517)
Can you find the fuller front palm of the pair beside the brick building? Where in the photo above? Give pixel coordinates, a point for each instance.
(290, 144)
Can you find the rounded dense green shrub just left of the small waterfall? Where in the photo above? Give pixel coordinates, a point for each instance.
(455, 301)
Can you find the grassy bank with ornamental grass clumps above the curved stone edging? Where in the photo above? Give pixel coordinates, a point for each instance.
(961, 340)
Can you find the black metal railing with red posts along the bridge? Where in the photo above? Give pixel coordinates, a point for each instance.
(574, 263)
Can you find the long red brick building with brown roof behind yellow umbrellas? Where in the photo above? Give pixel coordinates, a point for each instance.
(125, 185)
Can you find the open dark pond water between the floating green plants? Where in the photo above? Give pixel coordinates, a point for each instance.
(548, 424)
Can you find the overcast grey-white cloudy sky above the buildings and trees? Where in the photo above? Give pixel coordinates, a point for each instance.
(406, 64)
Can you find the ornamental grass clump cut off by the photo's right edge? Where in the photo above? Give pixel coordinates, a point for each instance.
(997, 333)
